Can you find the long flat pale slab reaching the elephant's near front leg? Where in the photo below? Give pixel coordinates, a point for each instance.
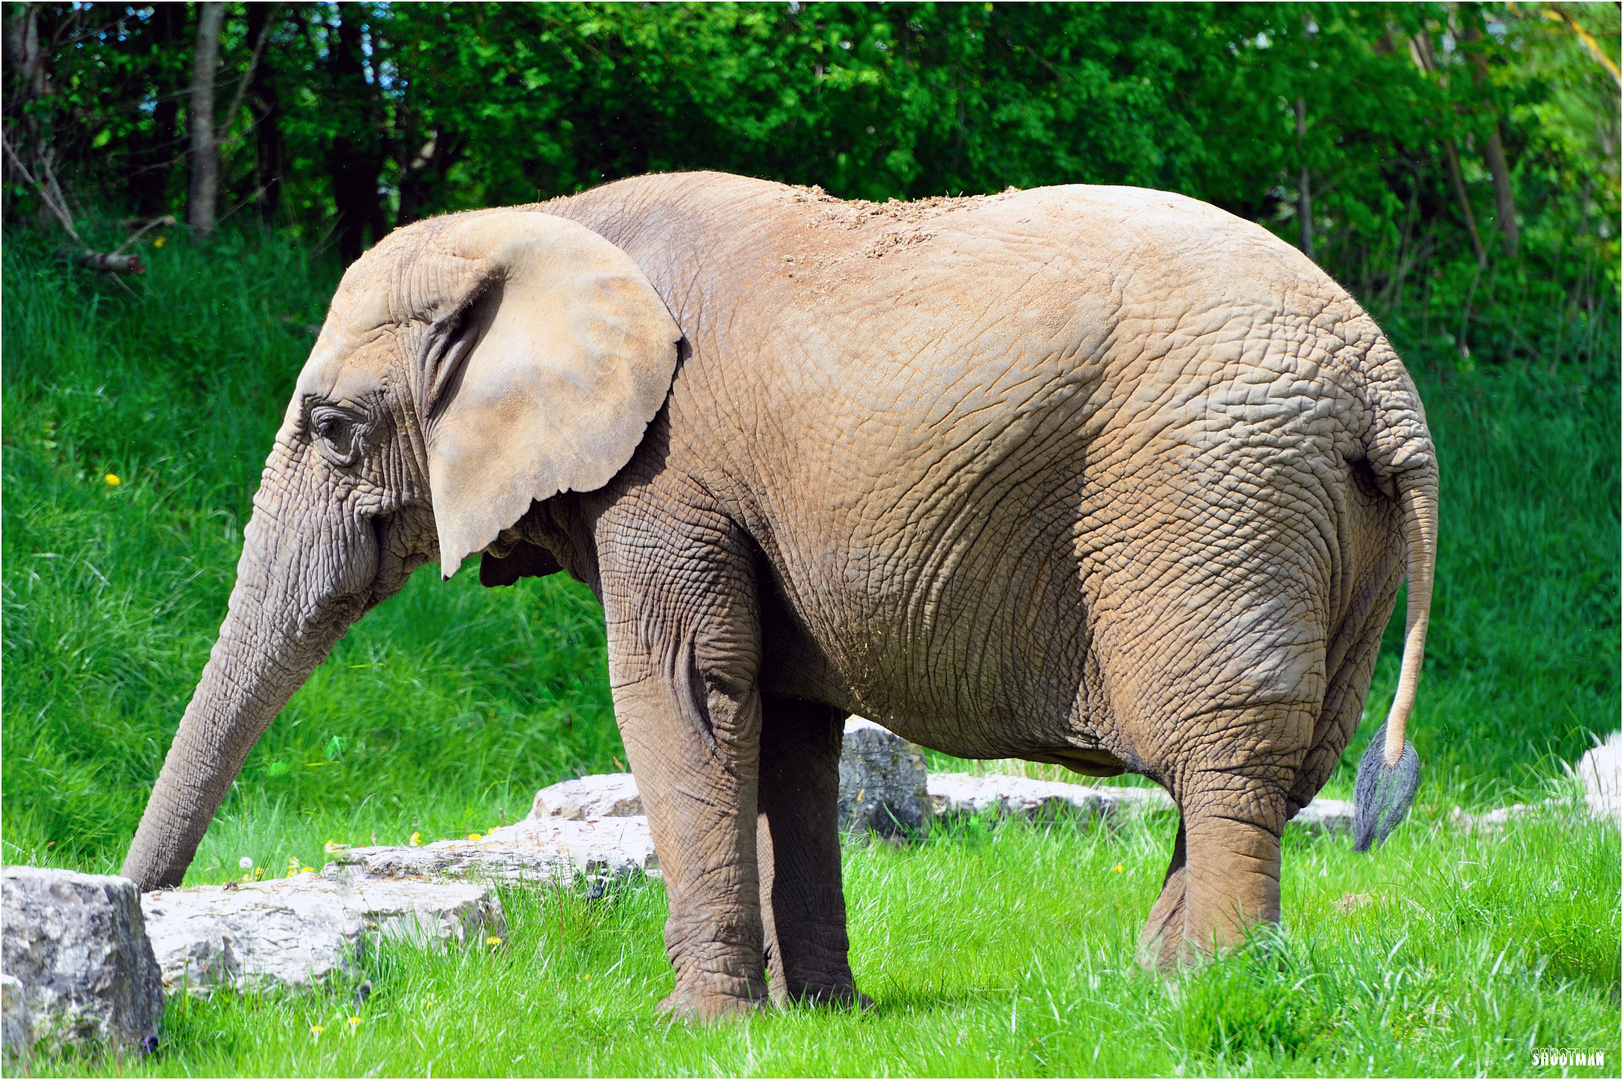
(548, 850)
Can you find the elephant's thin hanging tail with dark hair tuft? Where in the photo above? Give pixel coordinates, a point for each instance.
(1390, 772)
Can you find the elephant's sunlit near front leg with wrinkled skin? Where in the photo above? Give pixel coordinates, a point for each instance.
(684, 654)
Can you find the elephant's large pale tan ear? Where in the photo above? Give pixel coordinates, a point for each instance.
(545, 379)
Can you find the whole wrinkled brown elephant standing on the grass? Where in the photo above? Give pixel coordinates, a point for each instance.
(1096, 477)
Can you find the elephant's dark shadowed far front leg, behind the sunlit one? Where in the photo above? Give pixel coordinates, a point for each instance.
(798, 842)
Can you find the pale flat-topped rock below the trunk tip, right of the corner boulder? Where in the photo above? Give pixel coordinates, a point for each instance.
(303, 931)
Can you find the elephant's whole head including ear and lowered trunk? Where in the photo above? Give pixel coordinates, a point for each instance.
(468, 366)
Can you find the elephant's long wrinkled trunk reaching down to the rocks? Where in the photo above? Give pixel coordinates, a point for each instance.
(296, 594)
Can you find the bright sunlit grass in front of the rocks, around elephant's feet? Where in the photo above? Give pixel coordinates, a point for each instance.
(1010, 953)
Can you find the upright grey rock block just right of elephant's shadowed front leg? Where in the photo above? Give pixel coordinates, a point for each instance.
(882, 782)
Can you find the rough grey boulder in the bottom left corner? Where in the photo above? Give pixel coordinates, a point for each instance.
(79, 962)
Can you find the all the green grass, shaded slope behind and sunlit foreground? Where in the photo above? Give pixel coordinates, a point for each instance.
(1004, 951)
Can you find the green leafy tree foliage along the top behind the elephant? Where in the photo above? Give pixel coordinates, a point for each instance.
(364, 116)
